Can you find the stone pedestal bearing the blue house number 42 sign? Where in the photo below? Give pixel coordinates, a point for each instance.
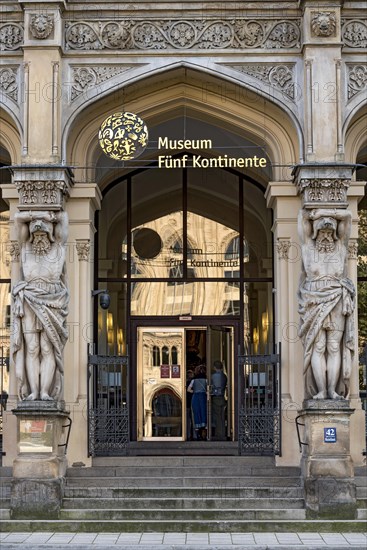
(327, 467)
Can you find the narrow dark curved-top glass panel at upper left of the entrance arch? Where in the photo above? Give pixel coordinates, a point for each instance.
(112, 249)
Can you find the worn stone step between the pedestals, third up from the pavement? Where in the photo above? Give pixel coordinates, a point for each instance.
(199, 503)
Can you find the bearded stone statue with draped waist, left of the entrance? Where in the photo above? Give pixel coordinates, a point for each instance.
(40, 305)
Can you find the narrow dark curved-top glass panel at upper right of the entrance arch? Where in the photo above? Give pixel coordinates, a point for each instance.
(257, 232)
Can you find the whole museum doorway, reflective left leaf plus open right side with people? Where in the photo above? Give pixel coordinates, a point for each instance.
(185, 383)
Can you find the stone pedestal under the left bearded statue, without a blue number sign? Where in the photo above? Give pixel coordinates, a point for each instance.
(40, 466)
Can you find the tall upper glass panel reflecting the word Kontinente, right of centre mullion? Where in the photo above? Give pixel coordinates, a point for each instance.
(212, 224)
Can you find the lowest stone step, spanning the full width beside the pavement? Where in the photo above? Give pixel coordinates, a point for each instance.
(195, 526)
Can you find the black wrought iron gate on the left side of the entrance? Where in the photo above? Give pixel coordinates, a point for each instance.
(108, 405)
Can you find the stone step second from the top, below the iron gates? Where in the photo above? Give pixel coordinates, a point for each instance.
(185, 471)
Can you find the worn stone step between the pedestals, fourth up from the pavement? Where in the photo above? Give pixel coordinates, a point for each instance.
(212, 492)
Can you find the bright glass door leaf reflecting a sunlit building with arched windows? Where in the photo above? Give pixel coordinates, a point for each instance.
(161, 384)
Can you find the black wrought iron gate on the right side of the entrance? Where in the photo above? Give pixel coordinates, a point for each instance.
(259, 417)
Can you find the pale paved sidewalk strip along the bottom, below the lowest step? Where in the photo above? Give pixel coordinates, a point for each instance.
(182, 541)
